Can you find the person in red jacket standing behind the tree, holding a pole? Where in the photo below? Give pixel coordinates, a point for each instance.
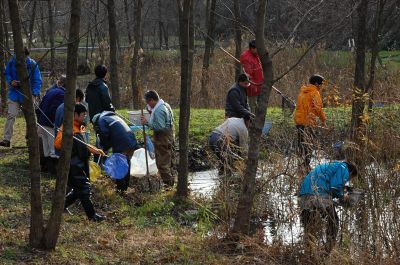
(252, 67)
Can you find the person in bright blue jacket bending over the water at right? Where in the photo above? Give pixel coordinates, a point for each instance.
(322, 184)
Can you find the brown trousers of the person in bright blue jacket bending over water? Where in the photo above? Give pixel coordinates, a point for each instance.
(313, 221)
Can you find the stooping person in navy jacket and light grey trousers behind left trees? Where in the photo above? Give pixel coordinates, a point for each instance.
(46, 117)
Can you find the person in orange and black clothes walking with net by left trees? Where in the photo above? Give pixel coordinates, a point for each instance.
(78, 177)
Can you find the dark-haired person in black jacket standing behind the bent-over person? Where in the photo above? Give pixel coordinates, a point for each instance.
(97, 94)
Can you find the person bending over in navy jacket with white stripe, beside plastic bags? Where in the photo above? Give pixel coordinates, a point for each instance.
(114, 133)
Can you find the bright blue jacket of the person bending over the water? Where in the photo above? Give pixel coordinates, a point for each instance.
(326, 180)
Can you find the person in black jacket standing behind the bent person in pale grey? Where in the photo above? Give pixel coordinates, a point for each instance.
(236, 100)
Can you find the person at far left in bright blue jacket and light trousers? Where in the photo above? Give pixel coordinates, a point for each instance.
(15, 94)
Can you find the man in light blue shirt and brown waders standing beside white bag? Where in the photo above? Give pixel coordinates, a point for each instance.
(162, 123)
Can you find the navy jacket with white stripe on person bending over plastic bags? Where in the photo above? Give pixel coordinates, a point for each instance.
(114, 132)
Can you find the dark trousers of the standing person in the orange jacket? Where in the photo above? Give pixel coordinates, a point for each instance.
(305, 142)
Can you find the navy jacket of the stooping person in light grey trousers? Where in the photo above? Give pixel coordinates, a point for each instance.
(53, 98)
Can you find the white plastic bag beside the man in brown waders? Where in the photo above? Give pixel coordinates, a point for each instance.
(138, 164)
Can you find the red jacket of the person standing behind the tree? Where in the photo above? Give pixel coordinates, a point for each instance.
(252, 67)
